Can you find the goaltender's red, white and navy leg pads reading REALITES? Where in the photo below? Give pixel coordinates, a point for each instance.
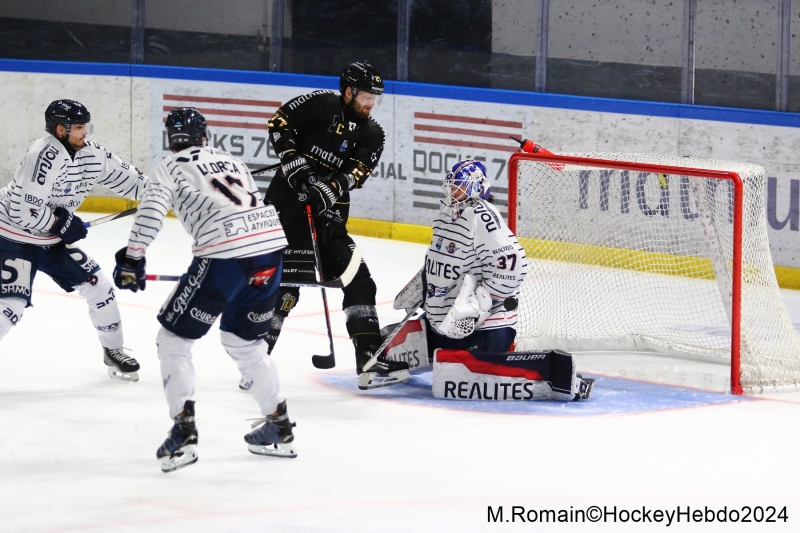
(474, 375)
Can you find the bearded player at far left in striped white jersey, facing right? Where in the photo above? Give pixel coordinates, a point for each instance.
(38, 227)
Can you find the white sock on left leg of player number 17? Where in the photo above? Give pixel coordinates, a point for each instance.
(177, 369)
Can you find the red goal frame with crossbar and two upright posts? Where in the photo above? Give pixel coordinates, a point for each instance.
(738, 202)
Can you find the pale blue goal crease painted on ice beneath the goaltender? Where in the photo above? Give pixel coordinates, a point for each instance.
(609, 396)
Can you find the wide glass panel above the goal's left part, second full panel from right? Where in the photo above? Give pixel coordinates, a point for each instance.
(632, 50)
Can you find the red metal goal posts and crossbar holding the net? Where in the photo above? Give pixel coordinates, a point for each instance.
(555, 169)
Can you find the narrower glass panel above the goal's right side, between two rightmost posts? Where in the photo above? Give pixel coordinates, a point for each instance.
(735, 53)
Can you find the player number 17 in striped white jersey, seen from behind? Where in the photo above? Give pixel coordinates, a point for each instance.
(235, 273)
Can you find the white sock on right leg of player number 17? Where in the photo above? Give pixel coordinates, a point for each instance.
(256, 366)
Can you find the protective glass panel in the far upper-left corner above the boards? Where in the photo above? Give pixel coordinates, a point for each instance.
(79, 30)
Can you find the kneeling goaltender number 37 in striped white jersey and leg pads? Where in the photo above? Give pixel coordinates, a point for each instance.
(470, 286)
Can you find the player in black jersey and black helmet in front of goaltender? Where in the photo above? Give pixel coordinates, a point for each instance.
(329, 145)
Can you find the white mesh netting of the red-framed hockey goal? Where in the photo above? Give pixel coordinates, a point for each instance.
(638, 261)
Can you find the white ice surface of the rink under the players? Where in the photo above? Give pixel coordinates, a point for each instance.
(77, 448)
